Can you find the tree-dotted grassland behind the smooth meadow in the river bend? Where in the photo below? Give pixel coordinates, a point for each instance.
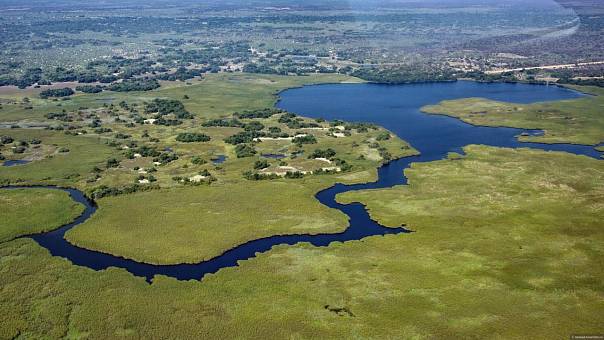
(109, 145)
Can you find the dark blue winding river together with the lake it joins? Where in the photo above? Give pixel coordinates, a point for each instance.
(396, 108)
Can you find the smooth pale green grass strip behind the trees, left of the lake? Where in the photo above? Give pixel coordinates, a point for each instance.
(214, 96)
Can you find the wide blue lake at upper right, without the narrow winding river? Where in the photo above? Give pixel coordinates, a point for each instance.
(397, 108)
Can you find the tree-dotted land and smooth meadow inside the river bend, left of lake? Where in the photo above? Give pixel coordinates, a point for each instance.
(137, 165)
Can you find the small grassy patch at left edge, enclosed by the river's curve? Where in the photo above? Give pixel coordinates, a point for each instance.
(29, 211)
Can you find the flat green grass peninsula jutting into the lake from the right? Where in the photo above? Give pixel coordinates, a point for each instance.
(568, 121)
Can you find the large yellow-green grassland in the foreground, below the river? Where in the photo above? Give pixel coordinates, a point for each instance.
(507, 245)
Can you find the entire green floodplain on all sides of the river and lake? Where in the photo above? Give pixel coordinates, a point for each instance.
(507, 243)
